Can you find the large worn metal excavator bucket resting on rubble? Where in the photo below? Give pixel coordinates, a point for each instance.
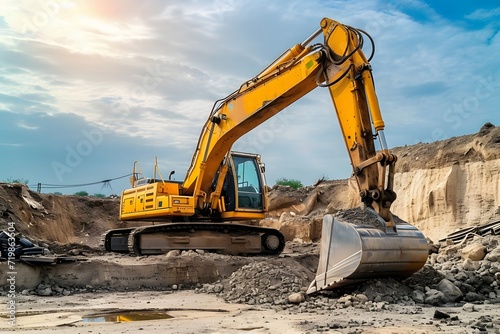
(355, 251)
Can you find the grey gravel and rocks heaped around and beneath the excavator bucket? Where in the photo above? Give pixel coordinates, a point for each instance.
(464, 274)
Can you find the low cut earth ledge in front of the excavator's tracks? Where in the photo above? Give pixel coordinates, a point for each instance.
(122, 272)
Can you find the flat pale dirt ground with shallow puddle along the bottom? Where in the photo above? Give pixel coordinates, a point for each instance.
(203, 313)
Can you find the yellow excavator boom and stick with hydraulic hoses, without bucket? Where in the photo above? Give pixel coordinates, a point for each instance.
(338, 64)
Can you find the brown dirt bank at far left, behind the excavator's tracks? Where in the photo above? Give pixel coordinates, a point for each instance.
(57, 219)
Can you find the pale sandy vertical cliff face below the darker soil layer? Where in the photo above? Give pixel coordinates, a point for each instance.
(441, 200)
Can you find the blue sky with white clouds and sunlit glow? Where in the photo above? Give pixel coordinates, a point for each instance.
(88, 87)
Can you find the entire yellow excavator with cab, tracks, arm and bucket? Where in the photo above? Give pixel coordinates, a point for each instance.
(222, 187)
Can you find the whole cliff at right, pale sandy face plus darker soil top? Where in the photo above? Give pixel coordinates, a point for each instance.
(451, 184)
